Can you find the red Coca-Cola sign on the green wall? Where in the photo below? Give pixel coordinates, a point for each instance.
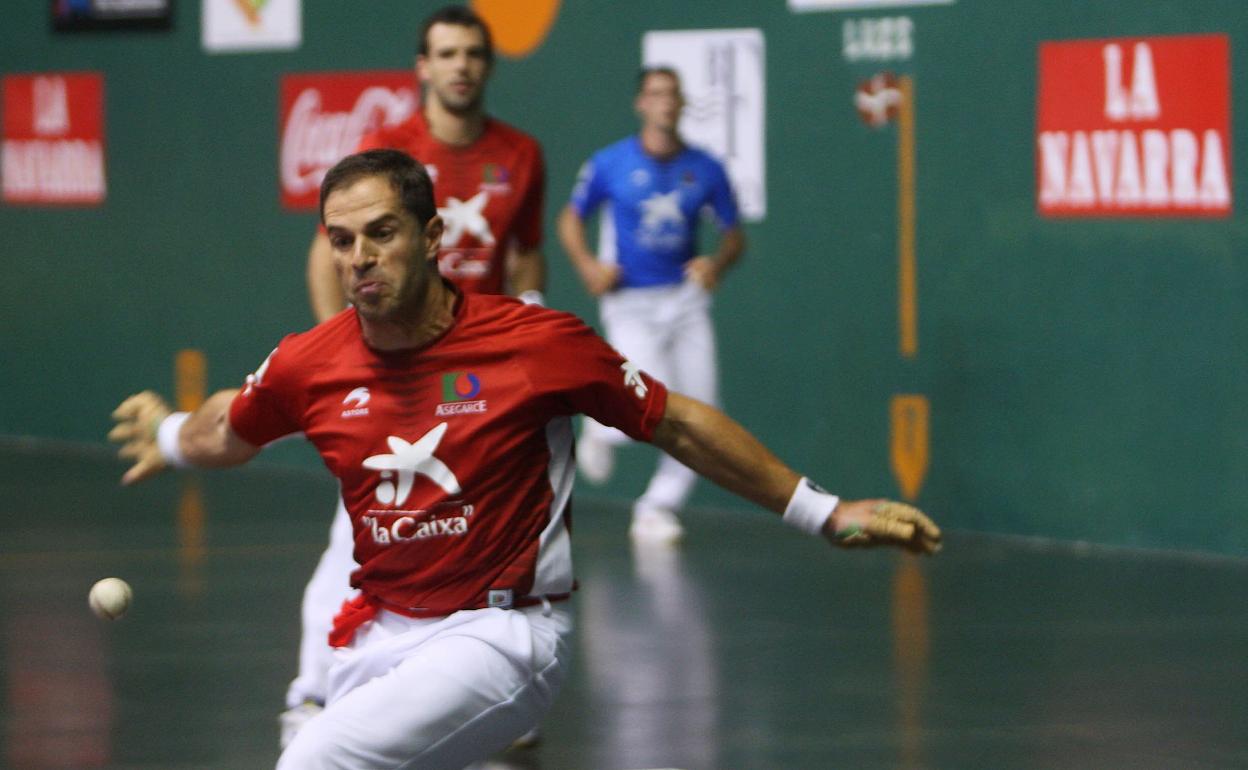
(324, 117)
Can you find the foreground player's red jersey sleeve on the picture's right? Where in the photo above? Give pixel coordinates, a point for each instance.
(583, 375)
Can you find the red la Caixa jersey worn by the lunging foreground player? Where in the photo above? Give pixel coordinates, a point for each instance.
(456, 460)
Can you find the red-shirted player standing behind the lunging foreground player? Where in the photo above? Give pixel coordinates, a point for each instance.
(490, 182)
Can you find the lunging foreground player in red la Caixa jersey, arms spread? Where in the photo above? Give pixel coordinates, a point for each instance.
(457, 474)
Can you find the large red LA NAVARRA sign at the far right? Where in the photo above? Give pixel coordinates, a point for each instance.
(1135, 127)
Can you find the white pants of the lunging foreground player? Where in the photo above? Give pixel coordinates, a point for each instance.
(436, 694)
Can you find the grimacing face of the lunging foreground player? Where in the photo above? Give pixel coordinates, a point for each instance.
(384, 256)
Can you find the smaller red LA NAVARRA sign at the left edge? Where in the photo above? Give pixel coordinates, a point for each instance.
(53, 139)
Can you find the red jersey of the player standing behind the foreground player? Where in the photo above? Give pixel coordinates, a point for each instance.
(490, 195)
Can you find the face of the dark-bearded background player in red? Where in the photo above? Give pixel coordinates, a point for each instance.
(456, 69)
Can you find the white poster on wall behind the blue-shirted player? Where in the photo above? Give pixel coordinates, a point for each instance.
(722, 73)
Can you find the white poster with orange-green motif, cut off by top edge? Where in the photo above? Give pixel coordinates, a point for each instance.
(251, 26)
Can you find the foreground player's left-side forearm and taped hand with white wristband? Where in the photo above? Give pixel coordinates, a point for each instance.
(155, 439)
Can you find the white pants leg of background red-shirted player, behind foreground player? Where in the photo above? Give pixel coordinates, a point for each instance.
(323, 600)
